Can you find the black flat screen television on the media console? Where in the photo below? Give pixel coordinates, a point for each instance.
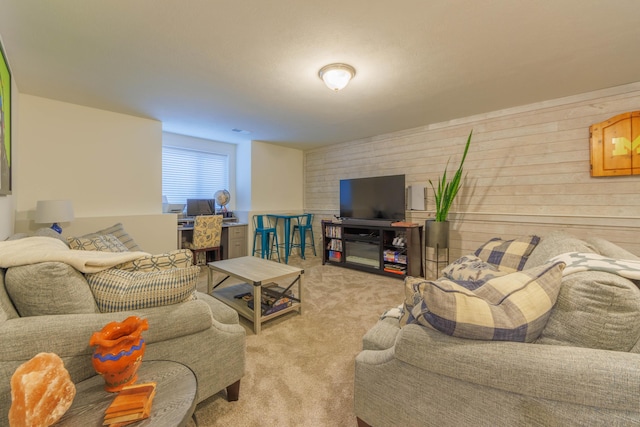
(379, 197)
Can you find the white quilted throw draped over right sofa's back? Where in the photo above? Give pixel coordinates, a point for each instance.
(578, 261)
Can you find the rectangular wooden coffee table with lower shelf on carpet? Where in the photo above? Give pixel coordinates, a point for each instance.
(256, 273)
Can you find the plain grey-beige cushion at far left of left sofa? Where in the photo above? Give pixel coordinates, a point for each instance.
(49, 288)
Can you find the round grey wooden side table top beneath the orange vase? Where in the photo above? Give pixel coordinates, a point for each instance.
(173, 404)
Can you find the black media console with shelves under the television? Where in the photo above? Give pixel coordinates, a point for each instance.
(389, 250)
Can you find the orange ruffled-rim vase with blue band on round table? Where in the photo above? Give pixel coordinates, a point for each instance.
(118, 352)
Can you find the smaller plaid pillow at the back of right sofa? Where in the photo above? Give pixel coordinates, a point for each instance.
(508, 255)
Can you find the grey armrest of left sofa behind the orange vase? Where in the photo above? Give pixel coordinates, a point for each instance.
(68, 335)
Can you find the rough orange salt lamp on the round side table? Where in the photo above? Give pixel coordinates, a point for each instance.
(41, 392)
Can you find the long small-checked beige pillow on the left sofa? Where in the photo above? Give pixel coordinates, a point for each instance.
(120, 290)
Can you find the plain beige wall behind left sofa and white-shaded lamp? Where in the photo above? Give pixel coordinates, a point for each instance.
(108, 164)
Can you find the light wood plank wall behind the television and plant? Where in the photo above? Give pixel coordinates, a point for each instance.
(527, 172)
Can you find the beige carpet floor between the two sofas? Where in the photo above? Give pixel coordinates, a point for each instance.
(300, 368)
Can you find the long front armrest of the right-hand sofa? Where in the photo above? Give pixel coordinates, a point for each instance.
(597, 378)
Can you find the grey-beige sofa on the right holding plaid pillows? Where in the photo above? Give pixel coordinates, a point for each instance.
(583, 369)
